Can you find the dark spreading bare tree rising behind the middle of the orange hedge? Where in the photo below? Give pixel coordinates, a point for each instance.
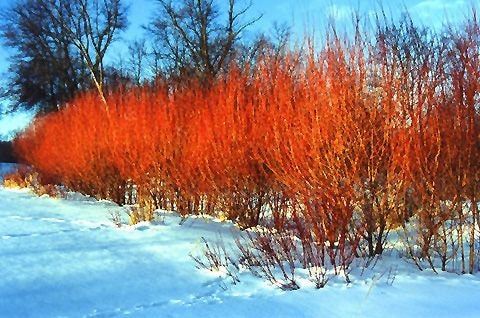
(193, 38)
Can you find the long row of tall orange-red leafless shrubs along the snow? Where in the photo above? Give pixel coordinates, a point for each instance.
(357, 138)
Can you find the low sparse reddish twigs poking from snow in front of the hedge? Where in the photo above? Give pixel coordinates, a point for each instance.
(276, 255)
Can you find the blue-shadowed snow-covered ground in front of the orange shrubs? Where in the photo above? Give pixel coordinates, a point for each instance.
(65, 258)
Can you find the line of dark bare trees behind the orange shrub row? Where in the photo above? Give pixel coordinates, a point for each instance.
(61, 46)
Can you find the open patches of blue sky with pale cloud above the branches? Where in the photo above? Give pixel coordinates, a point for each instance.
(300, 14)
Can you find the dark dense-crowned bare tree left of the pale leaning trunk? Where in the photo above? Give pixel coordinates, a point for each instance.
(45, 70)
